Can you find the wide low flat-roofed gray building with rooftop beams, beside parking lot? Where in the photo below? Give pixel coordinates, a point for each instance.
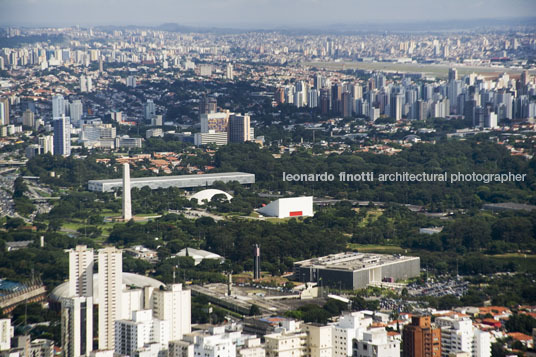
(352, 270)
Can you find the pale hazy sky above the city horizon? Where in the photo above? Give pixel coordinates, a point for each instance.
(253, 13)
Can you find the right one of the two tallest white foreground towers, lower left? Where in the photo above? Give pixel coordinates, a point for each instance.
(109, 287)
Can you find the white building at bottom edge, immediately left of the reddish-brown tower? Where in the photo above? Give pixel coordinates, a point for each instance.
(376, 343)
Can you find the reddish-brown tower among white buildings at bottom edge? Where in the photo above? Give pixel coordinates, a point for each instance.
(420, 339)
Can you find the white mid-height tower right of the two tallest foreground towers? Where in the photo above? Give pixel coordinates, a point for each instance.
(174, 305)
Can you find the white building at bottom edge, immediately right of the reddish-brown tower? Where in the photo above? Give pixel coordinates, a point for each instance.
(459, 335)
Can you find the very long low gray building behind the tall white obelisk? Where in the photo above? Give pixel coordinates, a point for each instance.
(183, 181)
